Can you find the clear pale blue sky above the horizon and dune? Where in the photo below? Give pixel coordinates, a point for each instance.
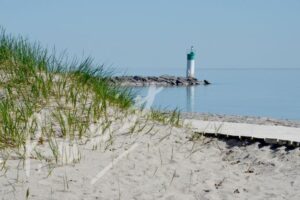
(156, 34)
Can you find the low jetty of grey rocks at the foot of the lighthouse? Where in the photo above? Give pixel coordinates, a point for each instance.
(164, 80)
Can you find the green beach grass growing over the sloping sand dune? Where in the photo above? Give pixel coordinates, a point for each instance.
(49, 100)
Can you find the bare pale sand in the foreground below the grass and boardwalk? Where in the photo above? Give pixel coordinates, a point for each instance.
(165, 165)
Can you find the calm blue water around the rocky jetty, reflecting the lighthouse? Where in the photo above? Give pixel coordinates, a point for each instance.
(271, 93)
